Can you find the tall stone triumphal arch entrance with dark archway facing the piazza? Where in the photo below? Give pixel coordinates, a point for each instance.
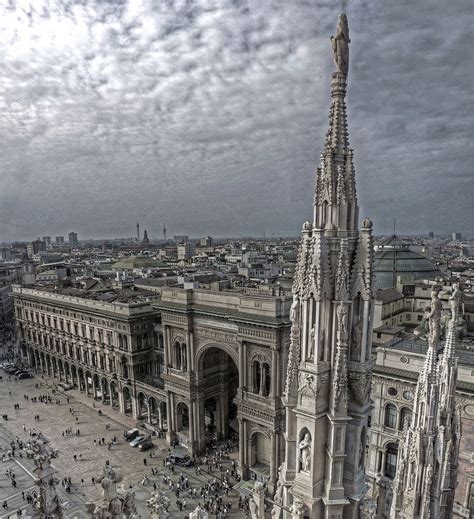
(224, 355)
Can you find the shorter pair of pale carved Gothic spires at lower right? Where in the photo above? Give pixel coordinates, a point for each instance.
(425, 480)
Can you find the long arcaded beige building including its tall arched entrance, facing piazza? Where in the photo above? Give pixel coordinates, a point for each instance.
(196, 363)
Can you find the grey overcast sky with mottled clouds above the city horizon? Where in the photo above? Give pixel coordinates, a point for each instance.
(209, 115)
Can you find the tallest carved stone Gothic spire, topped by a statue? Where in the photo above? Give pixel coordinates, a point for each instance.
(329, 369)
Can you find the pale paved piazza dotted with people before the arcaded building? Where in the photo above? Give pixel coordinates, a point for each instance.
(53, 420)
